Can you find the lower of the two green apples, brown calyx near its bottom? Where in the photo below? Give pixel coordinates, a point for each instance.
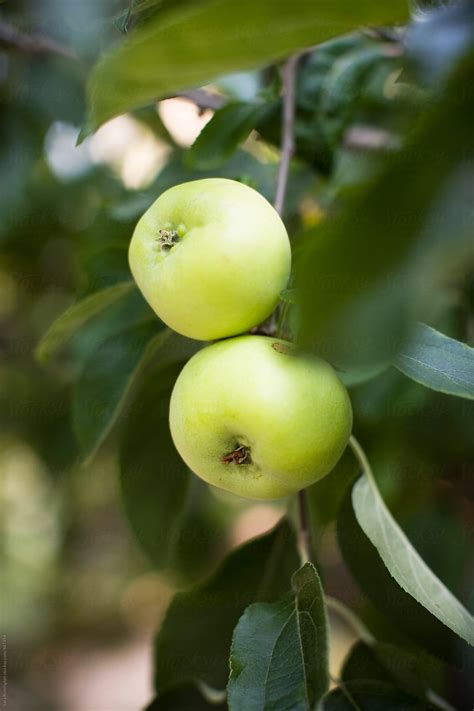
(290, 409)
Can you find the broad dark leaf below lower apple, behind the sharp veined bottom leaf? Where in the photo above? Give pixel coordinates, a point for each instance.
(195, 637)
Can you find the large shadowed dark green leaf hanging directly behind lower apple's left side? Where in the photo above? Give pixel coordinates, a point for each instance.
(171, 512)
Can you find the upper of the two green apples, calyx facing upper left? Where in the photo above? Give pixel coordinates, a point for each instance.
(230, 262)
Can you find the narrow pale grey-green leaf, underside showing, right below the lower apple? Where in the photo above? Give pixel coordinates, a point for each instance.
(404, 563)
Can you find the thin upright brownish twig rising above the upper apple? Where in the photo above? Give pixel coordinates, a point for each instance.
(287, 134)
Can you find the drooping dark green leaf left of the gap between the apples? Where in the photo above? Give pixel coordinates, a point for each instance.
(106, 380)
